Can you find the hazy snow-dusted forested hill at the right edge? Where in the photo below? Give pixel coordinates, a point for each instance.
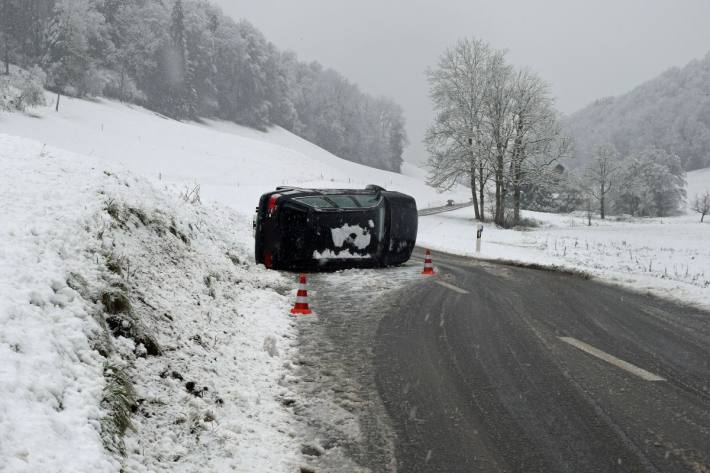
(670, 112)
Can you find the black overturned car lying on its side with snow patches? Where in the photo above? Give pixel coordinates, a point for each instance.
(334, 228)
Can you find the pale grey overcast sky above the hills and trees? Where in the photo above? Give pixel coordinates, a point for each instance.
(586, 49)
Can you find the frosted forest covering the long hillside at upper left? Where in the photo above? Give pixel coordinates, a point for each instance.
(187, 60)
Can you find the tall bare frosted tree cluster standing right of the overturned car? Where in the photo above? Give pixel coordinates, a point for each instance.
(491, 121)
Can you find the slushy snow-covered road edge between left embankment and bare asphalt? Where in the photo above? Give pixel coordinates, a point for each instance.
(346, 426)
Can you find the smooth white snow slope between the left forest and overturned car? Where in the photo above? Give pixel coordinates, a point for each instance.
(231, 163)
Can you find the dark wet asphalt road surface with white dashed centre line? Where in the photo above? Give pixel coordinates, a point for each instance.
(491, 368)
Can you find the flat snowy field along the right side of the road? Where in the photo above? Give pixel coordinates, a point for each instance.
(669, 257)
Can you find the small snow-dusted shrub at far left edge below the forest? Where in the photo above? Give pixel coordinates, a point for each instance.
(22, 89)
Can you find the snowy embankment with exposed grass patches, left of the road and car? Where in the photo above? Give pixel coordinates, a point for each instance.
(121, 301)
